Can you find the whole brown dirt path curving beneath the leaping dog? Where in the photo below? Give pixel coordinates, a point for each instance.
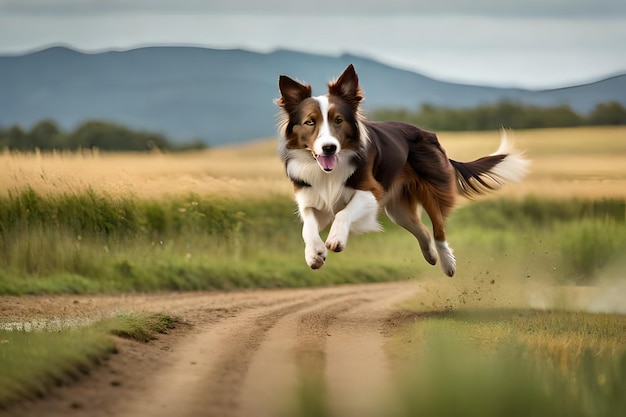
(244, 353)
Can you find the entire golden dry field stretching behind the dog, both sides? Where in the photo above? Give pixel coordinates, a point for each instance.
(586, 162)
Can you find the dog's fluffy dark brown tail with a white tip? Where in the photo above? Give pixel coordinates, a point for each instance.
(491, 172)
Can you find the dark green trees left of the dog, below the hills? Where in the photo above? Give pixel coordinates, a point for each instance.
(47, 135)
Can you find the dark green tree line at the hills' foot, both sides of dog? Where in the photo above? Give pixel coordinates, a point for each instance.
(108, 136)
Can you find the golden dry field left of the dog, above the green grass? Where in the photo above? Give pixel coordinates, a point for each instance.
(252, 170)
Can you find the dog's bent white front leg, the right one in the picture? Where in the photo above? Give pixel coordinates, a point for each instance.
(358, 216)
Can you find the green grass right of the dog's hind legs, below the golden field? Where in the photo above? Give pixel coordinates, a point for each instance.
(563, 241)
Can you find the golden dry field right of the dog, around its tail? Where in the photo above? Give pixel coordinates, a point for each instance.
(588, 162)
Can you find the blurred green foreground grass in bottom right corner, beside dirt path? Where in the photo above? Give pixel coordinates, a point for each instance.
(513, 362)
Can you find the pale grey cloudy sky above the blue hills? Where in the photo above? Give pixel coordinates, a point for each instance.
(514, 43)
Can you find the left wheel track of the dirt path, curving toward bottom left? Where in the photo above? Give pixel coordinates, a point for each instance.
(210, 365)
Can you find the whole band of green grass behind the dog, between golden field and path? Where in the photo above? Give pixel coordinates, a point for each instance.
(93, 242)
